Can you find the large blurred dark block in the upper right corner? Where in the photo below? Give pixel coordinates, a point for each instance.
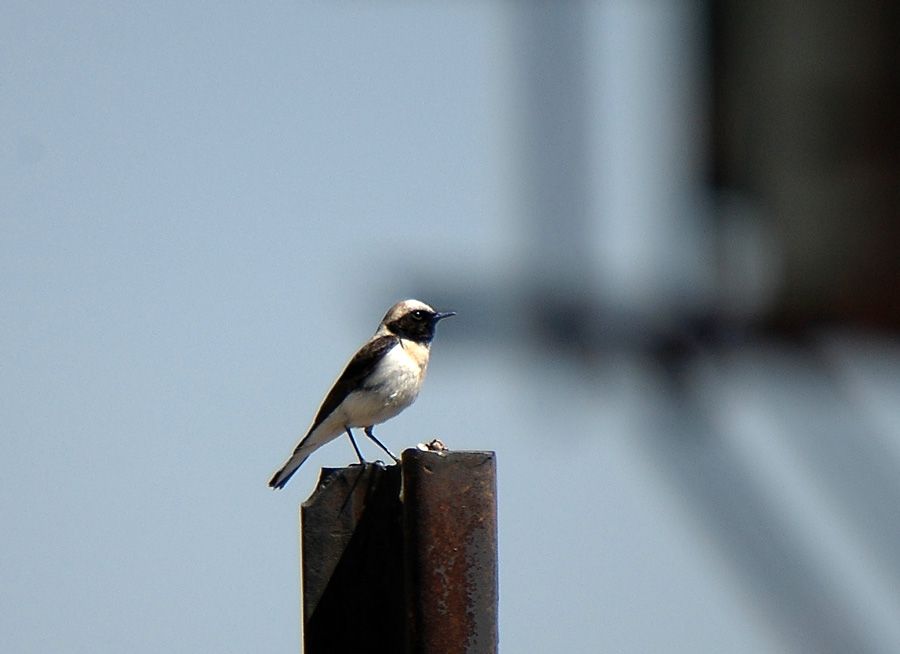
(807, 127)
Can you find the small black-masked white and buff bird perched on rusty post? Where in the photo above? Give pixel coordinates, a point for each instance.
(380, 381)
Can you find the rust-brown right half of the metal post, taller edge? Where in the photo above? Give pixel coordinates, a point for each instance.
(450, 541)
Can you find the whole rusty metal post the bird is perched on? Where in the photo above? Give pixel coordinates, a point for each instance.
(362, 544)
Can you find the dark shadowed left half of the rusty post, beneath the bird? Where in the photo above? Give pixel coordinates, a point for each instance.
(352, 564)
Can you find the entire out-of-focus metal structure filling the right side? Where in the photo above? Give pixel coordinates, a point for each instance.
(801, 122)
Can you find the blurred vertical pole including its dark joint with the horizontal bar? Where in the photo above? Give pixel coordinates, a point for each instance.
(550, 48)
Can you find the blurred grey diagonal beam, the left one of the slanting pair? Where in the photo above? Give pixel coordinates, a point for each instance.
(800, 598)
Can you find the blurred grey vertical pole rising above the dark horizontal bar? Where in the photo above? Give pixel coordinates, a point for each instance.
(551, 50)
